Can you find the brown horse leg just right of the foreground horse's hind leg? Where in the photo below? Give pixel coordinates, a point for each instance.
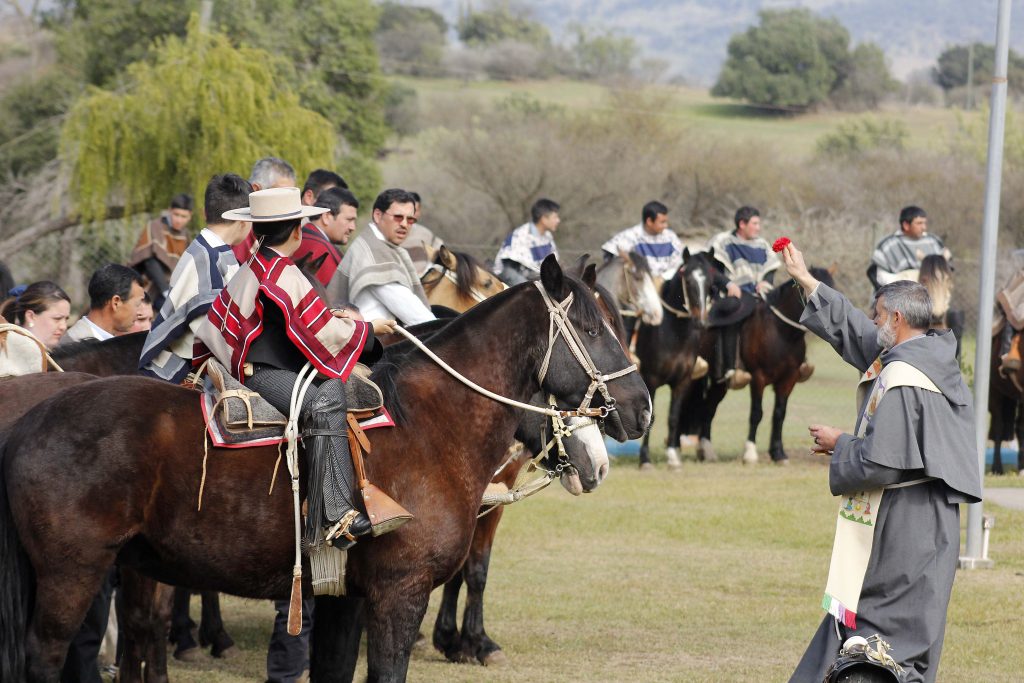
(144, 609)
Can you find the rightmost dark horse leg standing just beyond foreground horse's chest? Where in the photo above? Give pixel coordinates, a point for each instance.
(476, 643)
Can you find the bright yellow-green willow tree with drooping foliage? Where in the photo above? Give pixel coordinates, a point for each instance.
(197, 108)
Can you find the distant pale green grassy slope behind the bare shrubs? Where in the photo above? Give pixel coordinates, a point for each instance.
(696, 109)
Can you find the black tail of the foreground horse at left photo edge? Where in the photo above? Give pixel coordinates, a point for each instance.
(17, 588)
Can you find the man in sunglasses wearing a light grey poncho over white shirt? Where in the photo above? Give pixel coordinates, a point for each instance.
(377, 277)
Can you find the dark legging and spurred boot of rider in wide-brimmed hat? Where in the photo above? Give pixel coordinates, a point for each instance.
(332, 480)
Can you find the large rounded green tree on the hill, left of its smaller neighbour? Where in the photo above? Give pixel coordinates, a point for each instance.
(790, 61)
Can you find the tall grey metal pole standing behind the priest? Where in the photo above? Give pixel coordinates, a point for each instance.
(987, 292)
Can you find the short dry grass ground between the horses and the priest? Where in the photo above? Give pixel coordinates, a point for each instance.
(711, 574)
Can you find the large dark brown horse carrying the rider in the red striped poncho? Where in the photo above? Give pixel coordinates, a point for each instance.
(110, 471)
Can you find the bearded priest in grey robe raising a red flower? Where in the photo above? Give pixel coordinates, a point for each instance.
(918, 445)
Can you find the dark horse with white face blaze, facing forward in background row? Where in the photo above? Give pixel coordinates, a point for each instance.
(668, 352)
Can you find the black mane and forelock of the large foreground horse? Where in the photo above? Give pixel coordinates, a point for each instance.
(402, 357)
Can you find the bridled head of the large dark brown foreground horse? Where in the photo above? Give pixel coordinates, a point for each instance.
(584, 365)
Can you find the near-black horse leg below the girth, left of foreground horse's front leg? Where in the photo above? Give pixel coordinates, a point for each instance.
(337, 632)
